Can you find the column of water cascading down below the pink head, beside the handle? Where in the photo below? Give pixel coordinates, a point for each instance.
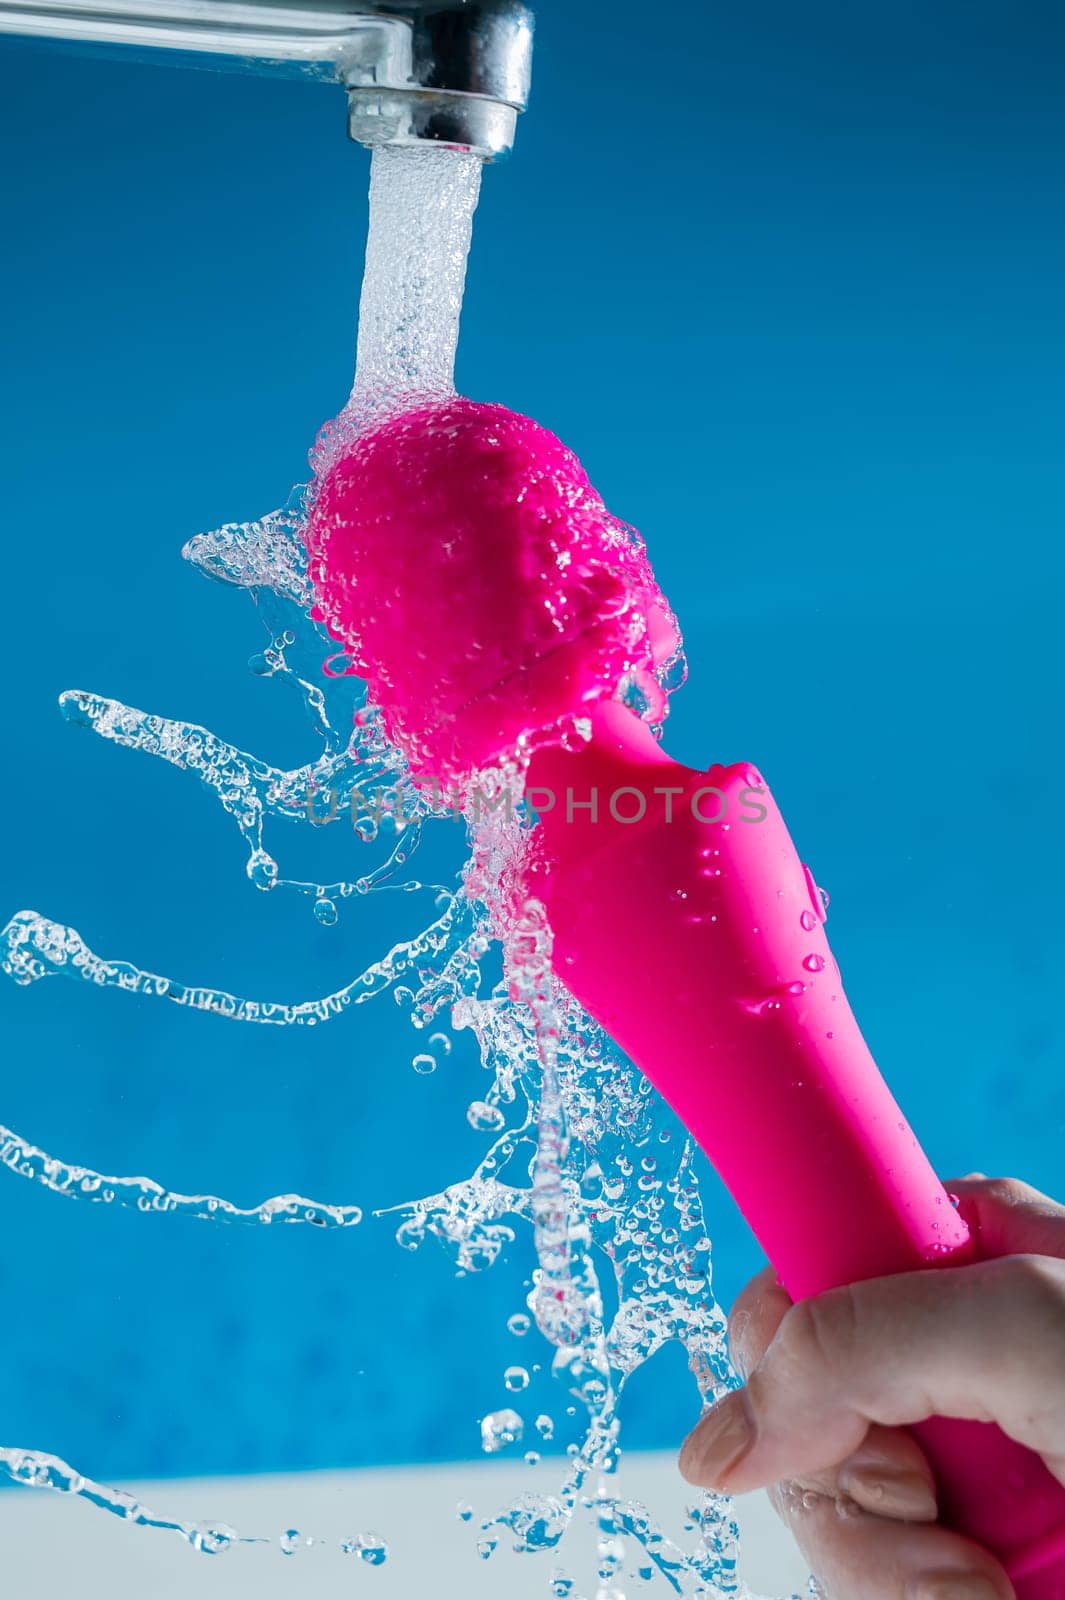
(596, 1191)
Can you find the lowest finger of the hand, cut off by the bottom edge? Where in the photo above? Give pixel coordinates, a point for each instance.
(858, 1556)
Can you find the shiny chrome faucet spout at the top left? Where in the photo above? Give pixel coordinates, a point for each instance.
(452, 73)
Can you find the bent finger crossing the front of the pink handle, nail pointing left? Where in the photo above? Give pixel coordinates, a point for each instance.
(981, 1343)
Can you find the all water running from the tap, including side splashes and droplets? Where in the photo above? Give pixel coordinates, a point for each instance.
(583, 1162)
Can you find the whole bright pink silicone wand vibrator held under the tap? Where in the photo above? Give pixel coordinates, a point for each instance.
(485, 593)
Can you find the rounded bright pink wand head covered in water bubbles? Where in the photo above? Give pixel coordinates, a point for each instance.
(481, 586)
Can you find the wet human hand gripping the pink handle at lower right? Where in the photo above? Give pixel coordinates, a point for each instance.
(834, 1382)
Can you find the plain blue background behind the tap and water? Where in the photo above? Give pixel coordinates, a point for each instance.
(791, 282)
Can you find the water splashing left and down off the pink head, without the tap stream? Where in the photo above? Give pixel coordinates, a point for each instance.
(575, 1153)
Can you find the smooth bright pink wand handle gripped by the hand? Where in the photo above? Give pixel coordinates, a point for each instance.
(740, 1020)
